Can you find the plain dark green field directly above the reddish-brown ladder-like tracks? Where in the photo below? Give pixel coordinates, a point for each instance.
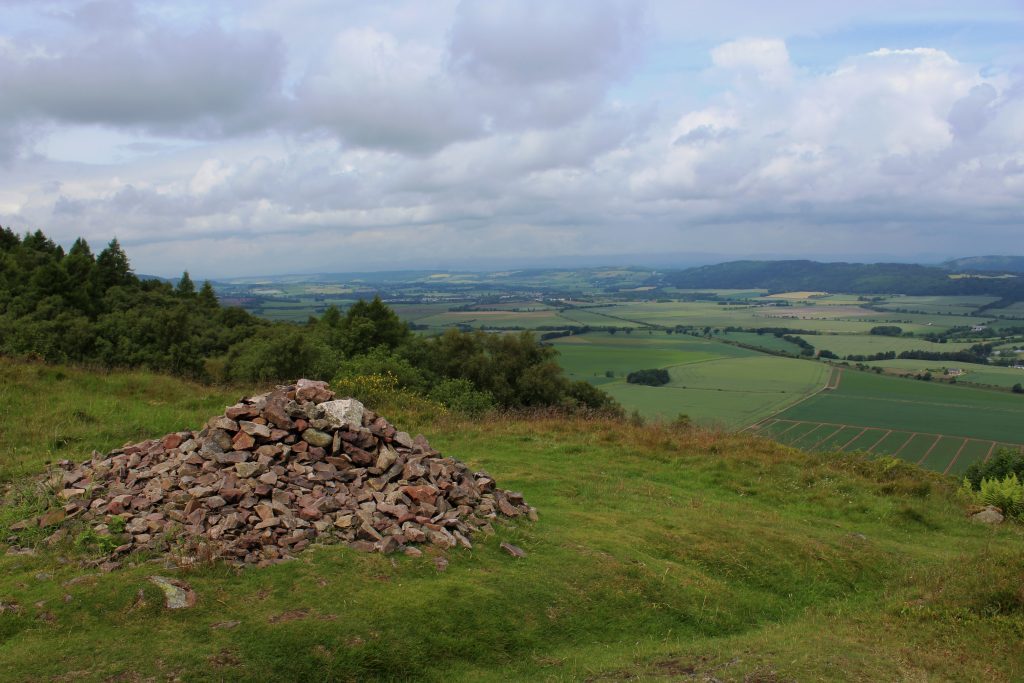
(888, 403)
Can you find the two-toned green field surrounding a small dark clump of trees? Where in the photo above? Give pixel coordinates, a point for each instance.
(711, 382)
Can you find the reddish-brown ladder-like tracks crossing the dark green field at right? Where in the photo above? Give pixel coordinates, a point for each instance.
(834, 429)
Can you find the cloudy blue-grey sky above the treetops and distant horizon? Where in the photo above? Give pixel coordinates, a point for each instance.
(262, 138)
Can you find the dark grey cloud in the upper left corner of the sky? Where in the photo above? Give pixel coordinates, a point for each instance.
(113, 67)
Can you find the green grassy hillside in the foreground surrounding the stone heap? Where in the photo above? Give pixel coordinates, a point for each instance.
(661, 554)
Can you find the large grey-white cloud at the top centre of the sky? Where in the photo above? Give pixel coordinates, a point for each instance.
(506, 67)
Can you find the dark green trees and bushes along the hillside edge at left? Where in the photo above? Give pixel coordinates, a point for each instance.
(77, 307)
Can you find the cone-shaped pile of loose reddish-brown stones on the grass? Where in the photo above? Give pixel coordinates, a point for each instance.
(279, 472)
